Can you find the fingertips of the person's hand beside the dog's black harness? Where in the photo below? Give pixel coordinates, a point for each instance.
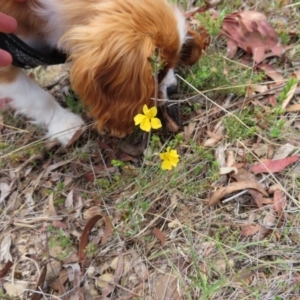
(7, 25)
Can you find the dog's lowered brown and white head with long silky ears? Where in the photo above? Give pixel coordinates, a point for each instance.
(115, 55)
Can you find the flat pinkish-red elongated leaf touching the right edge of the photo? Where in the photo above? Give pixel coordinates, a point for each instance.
(274, 166)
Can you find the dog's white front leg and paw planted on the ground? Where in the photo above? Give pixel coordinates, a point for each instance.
(28, 99)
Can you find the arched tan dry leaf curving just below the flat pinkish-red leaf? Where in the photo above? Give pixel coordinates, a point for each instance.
(234, 187)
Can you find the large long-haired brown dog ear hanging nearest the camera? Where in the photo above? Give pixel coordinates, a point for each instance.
(113, 78)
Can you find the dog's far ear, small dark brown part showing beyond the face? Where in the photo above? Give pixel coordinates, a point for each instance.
(193, 46)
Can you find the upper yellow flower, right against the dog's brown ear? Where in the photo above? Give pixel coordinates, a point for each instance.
(147, 120)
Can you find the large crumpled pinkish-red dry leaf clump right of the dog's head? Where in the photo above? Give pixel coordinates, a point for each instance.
(251, 31)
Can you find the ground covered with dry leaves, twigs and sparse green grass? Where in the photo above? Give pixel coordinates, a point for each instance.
(101, 220)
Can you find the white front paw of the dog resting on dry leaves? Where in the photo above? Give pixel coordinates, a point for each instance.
(65, 126)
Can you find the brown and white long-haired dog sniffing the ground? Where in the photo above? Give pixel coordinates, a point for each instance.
(109, 45)
